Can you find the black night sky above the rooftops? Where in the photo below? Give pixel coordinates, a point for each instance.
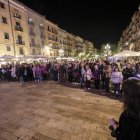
(100, 21)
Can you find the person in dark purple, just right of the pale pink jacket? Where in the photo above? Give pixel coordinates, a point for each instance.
(96, 77)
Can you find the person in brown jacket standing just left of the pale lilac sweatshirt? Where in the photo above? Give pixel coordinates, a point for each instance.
(107, 71)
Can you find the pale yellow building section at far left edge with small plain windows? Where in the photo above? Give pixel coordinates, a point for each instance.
(6, 34)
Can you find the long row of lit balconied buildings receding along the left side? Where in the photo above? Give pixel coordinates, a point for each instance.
(26, 32)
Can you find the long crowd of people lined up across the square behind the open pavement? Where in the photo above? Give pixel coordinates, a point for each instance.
(88, 74)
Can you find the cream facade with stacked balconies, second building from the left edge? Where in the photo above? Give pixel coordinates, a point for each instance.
(19, 28)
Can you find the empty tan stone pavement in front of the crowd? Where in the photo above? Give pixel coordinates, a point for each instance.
(50, 111)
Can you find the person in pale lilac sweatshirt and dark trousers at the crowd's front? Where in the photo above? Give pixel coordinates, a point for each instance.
(116, 79)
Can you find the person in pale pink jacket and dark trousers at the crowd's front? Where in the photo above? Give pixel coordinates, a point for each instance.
(88, 76)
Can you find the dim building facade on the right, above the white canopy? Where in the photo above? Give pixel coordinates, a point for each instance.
(130, 39)
